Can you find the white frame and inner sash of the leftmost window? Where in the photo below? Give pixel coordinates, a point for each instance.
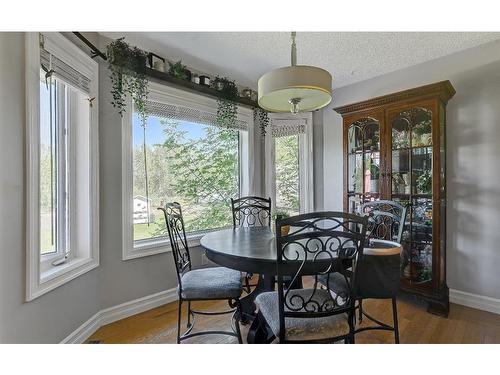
(41, 275)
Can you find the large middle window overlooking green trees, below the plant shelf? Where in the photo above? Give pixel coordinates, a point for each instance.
(181, 155)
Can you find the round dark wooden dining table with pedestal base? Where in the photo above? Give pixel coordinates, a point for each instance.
(253, 250)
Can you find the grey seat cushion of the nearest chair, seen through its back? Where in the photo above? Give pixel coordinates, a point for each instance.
(317, 328)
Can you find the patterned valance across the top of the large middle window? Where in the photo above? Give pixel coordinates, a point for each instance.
(177, 112)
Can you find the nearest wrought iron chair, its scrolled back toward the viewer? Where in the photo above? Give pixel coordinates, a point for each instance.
(317, 244)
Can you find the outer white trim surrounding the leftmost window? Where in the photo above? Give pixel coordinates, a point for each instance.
(39, 282)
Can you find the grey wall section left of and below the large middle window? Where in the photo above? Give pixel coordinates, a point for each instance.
(122, 281)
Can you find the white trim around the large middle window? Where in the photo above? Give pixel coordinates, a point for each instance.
(165, 94)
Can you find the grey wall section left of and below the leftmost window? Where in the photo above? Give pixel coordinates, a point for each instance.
(51, 317)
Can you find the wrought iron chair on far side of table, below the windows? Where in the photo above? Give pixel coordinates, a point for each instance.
(251, 211)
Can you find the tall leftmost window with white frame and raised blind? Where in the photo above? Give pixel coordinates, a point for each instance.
(62, 170)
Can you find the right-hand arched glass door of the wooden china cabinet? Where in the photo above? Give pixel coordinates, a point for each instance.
(411, 183)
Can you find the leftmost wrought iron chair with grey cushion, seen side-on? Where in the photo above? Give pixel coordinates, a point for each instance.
(217, 283)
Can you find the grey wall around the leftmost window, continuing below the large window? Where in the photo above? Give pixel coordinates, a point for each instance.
(53, 316)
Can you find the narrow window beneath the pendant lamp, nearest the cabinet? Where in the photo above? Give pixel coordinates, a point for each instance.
(289, 163)
